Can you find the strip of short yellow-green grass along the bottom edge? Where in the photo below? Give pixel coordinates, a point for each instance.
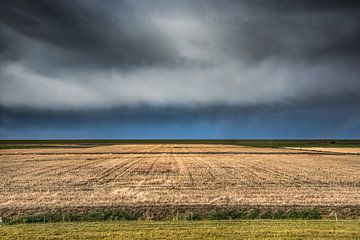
(249, 229)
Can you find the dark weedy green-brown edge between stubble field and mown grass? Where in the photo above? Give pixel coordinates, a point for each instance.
(203, 212)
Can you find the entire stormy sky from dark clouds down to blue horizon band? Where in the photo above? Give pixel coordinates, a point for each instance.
(170, 69)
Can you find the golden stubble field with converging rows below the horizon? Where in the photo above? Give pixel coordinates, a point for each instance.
(177, 175)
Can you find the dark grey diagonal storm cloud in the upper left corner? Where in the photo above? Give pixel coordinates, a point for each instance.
(87, 28)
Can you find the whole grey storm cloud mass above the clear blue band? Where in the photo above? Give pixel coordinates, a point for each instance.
(108, 54)
